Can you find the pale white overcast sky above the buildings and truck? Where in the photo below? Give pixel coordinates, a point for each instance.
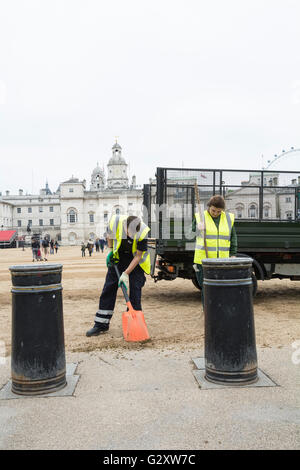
(181, 83)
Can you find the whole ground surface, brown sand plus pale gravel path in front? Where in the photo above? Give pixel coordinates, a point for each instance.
(144, 396)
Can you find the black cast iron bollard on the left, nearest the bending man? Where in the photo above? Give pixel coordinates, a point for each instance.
(38, 364)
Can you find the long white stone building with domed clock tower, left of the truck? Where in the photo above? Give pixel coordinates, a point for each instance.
(74, 213)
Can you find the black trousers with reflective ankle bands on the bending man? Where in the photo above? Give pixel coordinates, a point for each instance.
(108, 296)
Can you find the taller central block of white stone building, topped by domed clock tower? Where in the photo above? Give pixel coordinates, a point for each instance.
(85, 213)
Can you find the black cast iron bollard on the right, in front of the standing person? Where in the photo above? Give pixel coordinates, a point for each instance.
(230, 349)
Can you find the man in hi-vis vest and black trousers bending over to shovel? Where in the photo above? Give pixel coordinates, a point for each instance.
(127, 244)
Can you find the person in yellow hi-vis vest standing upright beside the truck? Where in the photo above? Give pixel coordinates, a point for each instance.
(220, 236)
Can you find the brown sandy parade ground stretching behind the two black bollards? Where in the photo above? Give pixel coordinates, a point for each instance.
(172, 309)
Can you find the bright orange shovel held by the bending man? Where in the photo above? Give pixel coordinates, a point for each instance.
(133, 321)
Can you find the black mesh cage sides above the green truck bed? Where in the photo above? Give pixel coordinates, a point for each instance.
(266, 191)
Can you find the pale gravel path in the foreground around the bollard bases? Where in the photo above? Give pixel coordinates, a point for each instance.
(149, 399)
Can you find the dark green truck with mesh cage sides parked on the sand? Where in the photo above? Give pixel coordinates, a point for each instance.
(266, 205)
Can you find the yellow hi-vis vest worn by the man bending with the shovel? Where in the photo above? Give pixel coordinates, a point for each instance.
(116, 227)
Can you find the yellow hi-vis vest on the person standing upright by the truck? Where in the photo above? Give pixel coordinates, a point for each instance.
(217, 241)
